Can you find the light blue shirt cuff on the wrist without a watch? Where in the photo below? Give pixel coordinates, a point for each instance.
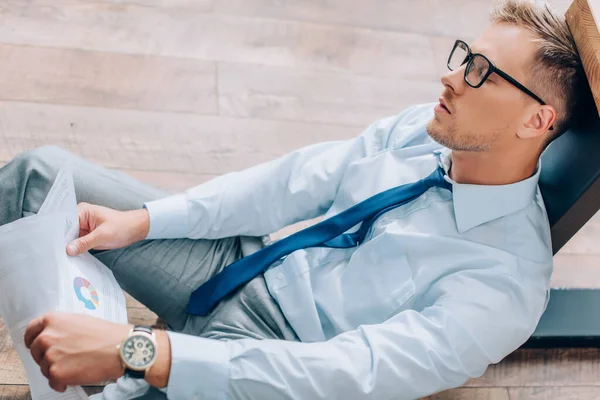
(168, 217)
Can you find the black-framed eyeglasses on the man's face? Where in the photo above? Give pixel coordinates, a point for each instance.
(479, 68)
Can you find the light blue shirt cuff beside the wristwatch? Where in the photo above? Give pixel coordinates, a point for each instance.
(199, 368)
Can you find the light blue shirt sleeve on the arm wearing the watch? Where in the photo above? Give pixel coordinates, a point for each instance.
(478, 318)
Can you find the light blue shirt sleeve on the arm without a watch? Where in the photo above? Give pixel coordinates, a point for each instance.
(267, 197)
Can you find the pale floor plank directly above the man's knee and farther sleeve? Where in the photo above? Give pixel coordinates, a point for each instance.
(152, 141)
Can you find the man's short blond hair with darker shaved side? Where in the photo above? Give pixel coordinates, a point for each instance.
(556, 74)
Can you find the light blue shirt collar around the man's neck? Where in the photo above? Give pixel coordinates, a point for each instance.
(477, 204)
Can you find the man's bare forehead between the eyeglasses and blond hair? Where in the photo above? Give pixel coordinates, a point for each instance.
(509, 47)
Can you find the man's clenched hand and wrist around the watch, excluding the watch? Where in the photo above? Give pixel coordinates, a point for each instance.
(76, 349)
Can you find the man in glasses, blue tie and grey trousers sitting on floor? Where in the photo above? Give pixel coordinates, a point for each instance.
(413, 300)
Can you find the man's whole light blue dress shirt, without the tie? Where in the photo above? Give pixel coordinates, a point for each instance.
(440, 288)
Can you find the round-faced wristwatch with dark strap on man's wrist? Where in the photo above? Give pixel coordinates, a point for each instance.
(138, 351)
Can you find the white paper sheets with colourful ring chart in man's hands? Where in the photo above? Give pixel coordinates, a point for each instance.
(37, 276)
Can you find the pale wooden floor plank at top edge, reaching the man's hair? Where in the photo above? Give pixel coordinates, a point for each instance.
(440, 17)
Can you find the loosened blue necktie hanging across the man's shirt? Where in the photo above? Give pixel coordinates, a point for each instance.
(327, 233)
